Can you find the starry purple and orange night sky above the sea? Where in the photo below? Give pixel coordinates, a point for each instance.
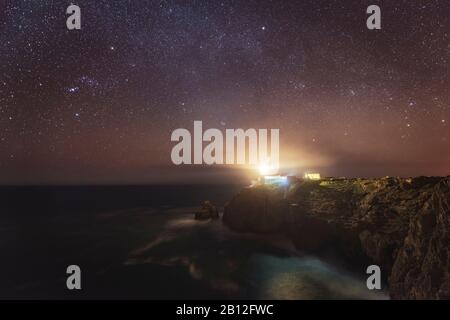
(98, 105)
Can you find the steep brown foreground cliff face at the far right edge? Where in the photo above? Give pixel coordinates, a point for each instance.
(422, 267)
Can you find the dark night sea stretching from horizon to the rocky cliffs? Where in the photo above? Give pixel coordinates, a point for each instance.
(143, 243)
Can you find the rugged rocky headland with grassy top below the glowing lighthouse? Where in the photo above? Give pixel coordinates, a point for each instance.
(402, 225)
